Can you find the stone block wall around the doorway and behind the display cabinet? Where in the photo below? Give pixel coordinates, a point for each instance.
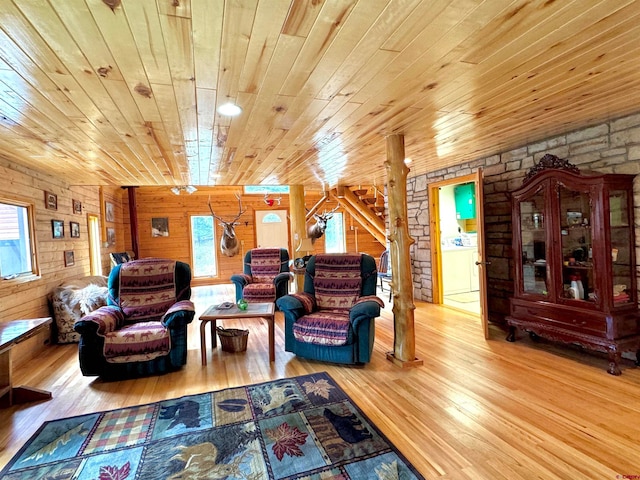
(612, 147)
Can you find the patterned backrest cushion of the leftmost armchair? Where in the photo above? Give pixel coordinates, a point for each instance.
(147, 289)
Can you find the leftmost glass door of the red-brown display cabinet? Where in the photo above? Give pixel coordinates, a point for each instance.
(534, 245)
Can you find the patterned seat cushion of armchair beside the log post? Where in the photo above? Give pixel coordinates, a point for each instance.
(325, 327)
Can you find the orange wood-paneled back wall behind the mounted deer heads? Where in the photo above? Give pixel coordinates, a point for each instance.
(160, 202)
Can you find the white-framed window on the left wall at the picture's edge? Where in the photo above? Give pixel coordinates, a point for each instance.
(17, 248)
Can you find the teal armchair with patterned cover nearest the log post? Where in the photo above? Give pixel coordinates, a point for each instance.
(333, 318)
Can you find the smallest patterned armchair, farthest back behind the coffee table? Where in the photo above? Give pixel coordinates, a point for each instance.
(265, 276)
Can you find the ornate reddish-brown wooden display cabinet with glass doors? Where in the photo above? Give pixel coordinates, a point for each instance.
(574, 254)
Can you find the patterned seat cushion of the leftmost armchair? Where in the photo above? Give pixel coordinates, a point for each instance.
(137, 343)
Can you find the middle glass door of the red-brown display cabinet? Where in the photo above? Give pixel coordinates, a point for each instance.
(578, 281)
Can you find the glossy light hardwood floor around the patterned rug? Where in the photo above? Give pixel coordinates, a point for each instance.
(475, 410)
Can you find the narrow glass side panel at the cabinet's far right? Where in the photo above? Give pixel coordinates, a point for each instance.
(620, 247)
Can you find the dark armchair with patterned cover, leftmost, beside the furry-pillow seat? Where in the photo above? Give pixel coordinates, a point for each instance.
(143, 328)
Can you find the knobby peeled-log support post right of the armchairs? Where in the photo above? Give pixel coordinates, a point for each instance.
(404, 344)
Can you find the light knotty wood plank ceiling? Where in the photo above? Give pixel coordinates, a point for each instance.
(124, 92)
